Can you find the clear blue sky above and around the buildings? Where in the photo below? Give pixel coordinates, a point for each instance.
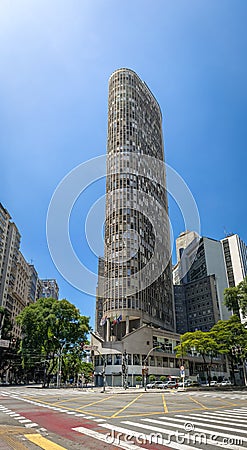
(56, 58)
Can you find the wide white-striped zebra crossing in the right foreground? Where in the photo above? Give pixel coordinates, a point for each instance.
(207, 430)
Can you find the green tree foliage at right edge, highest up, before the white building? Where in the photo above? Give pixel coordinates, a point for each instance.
(236, 298)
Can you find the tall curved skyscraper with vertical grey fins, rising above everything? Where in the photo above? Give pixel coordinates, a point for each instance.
(137, 260)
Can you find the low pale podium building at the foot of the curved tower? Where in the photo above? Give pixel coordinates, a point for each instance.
(146, 348)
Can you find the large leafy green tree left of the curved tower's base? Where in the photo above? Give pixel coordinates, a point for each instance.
(51, 328)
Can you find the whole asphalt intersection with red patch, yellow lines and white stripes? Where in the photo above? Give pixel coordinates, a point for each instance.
(33, 418)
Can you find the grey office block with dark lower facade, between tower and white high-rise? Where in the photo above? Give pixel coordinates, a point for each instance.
(199, 295)
